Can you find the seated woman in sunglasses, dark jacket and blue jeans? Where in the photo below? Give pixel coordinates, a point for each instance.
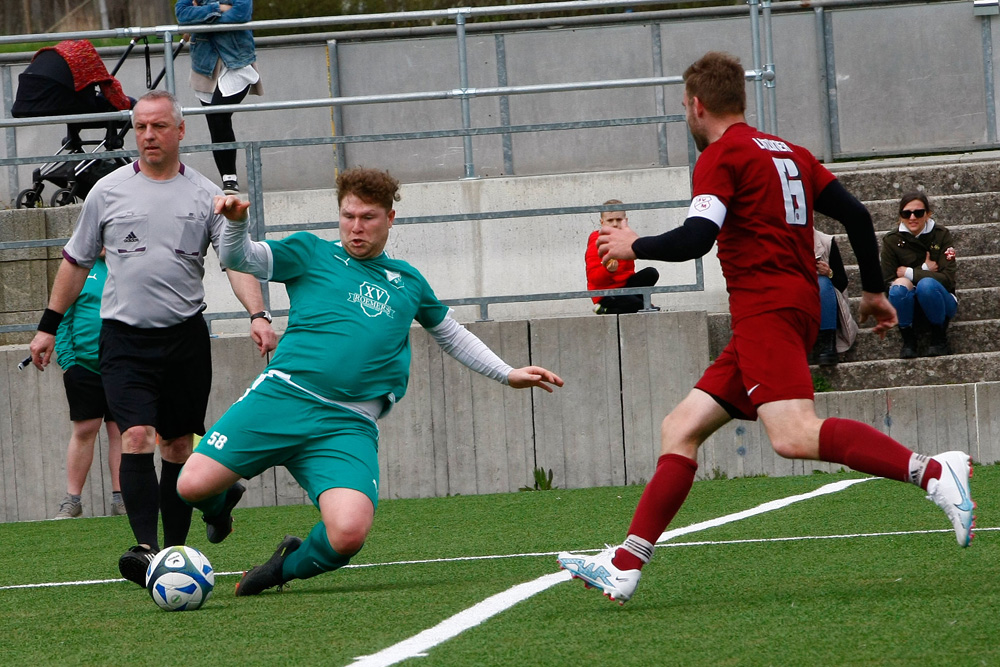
(918, 265)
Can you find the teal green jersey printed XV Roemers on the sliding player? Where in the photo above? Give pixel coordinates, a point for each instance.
(348, 334)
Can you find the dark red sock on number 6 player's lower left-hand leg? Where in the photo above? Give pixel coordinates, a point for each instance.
(660, 501)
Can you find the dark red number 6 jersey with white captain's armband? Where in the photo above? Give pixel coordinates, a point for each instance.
(760, 190)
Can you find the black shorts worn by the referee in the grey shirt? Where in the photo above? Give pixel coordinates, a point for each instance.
(158, 377)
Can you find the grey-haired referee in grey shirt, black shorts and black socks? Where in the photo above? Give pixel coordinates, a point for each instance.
(156, 219)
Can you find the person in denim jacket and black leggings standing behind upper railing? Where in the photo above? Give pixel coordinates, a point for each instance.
(223, 71)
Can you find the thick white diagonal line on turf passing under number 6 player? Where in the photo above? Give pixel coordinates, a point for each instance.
(419, 644)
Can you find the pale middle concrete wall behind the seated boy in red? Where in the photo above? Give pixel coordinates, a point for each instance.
(530, 255)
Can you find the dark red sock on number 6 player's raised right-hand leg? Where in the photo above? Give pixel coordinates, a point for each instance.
(862, 448)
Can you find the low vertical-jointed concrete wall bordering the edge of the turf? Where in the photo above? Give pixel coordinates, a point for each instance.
(457, 432)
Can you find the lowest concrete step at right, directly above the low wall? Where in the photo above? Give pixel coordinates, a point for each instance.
(884, 373)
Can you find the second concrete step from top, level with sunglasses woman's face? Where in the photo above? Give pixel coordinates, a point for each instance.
(951, 210)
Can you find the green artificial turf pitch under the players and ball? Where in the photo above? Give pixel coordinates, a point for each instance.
(887, 586)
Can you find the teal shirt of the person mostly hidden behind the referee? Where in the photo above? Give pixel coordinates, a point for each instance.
(80, 330)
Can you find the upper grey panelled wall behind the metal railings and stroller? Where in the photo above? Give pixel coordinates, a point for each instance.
(918, 86)
